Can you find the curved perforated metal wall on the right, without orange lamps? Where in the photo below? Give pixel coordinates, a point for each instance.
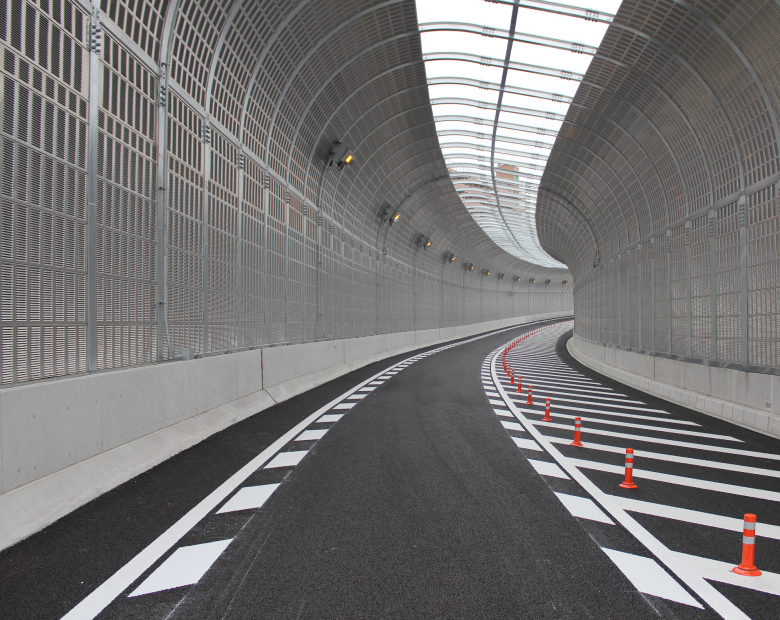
(668, 158)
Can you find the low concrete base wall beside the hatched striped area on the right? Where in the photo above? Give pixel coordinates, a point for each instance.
(748, 399)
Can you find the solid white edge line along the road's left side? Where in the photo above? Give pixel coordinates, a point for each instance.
(102, 596)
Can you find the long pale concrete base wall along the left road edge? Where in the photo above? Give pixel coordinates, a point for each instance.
(64, 442)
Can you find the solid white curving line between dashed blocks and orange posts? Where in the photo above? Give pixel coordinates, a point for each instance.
(719, 603)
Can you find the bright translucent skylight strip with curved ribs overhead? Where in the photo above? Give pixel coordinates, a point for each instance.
(501, 76)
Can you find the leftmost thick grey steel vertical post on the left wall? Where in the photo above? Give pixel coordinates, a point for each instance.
(92, 145)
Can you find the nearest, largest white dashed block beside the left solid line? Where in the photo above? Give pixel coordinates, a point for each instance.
(185, 567)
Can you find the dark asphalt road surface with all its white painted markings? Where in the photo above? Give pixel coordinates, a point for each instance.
(425, 486)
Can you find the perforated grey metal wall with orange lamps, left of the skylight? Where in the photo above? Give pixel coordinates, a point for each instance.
(165, 185)
